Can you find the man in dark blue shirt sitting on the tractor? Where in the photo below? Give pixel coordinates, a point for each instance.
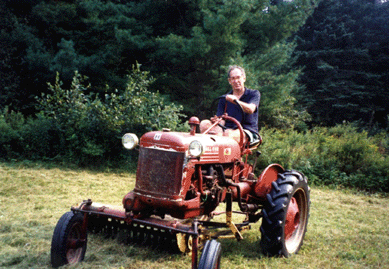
(246, 98)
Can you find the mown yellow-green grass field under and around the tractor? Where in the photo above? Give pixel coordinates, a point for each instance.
(345, 230)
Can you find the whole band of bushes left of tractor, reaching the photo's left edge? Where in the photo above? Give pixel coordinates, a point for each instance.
(82, 128)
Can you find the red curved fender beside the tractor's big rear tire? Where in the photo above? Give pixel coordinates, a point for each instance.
(265, 179)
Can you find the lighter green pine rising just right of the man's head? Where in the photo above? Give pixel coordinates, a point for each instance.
(269, 57)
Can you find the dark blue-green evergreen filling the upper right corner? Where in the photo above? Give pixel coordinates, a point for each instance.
(344, 48)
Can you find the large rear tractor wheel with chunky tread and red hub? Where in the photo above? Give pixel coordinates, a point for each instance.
(285, 215)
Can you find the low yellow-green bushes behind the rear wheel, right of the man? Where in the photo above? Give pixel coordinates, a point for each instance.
(338, 156)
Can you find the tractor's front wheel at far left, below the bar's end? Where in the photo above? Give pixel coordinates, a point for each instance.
(68, 244)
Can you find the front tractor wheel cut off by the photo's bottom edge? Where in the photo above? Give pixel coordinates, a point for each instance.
(211, 256)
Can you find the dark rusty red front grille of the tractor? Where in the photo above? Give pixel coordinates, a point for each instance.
(159, 171)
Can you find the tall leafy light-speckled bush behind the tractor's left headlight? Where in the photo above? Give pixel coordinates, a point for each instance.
(91, 127)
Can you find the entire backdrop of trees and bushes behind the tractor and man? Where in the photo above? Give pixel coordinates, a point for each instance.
(118, 66)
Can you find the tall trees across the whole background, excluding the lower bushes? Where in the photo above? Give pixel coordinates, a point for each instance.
(327, 58)
